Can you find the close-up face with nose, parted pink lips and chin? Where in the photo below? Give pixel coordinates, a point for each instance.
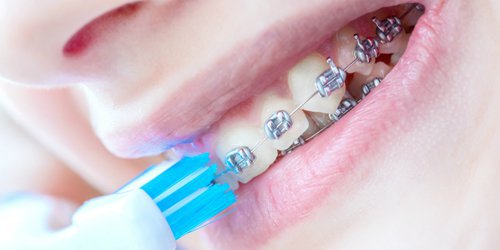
(412, 165)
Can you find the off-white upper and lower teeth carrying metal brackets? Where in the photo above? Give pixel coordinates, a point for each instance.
(285, 131)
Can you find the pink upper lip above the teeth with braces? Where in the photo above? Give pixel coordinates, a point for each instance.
(245, 68)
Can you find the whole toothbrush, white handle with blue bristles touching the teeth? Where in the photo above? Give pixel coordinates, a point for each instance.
(152, 211)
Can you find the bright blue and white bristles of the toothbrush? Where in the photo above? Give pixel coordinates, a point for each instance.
(187, 195)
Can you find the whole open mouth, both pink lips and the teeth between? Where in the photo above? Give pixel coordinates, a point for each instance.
(274, 68)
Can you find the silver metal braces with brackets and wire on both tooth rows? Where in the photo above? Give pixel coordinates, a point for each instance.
(366, 50)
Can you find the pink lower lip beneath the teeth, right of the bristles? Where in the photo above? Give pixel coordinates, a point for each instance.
(296, 184)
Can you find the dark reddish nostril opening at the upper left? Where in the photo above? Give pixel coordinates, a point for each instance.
(84, 37)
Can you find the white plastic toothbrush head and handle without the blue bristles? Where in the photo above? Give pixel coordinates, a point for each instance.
(129, 220)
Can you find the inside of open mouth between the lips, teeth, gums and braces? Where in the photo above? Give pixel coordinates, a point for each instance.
(316, 93)
